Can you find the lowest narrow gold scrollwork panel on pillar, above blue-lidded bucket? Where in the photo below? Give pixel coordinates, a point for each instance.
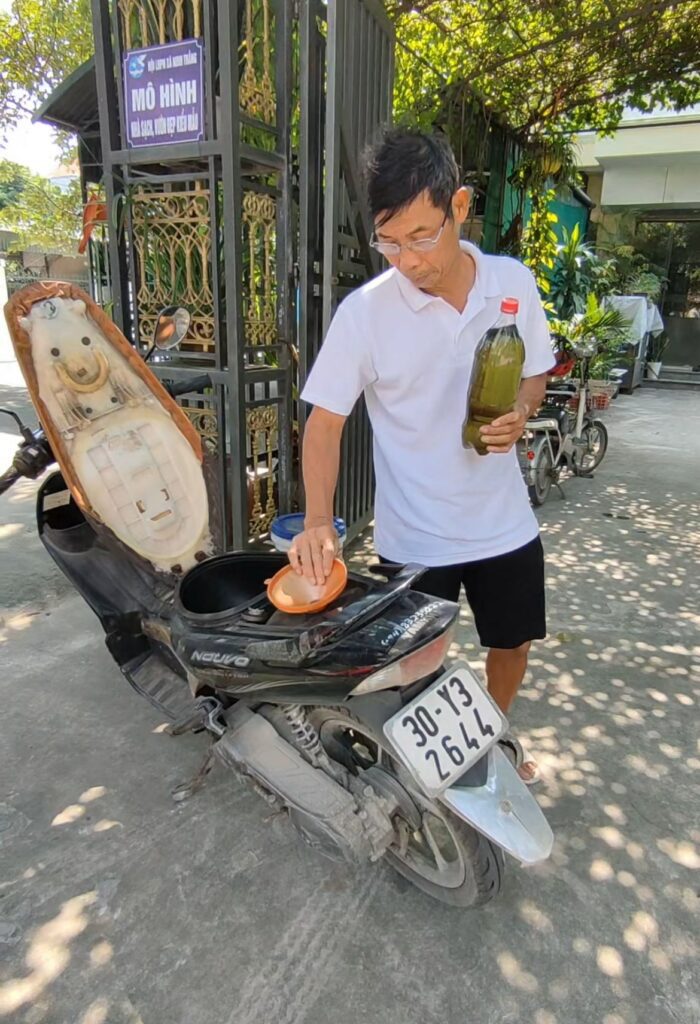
(261, 424)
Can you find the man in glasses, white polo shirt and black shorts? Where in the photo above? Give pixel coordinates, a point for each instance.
(407, 340)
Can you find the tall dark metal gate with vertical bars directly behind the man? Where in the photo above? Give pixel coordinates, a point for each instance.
(336, 257)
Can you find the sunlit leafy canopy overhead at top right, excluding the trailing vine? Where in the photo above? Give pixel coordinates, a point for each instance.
(550, 65)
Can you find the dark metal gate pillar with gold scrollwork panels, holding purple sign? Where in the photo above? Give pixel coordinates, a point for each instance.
(207, 225)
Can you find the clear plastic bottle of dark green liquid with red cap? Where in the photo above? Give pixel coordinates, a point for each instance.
(496, 378)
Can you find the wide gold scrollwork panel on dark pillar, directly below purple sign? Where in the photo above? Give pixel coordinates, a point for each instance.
(172, 239)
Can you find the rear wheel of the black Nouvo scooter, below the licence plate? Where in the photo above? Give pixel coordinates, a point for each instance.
(446, 858)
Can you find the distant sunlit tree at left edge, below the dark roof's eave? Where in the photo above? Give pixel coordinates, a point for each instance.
(41, 215)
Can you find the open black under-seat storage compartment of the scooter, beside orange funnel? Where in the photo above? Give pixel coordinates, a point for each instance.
(227, 584)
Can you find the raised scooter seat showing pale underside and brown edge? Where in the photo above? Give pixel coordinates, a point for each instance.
(128, 453)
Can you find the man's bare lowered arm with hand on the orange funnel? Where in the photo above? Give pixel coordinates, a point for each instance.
(314, 551)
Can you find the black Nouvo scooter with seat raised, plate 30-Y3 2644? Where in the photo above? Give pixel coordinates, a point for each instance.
(352, 720)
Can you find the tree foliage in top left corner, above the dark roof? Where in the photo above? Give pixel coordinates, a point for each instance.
(41, 42)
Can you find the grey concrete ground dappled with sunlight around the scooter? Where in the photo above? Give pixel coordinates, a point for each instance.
(119, 906)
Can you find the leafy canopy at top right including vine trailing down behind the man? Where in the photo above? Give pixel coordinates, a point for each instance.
(541, 70)
